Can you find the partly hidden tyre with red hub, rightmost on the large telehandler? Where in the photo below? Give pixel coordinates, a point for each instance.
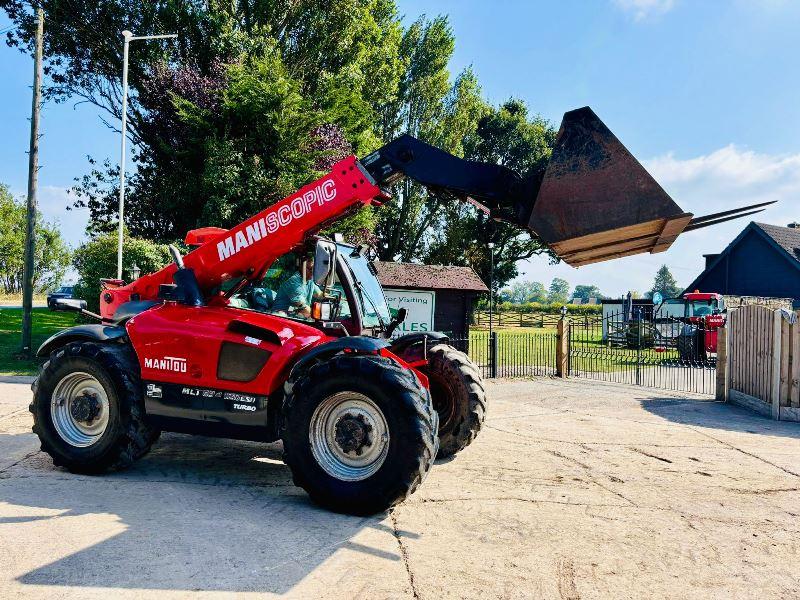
(459, 397)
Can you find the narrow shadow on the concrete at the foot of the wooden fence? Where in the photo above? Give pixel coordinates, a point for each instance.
(718, 415)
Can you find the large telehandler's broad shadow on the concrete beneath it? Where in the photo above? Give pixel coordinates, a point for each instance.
(195, 514)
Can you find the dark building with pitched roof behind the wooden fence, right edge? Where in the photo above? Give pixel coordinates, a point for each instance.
(763, 260)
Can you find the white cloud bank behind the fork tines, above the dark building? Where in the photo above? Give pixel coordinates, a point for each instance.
(726, 178)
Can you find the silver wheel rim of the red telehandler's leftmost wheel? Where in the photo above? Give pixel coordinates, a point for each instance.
(79, 409)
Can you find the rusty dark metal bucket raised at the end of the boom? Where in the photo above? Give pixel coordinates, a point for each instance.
(597, 202)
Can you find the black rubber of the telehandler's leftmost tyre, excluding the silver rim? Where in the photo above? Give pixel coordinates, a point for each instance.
(127, 436)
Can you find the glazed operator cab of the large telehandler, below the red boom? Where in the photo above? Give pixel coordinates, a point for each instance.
(332, 286)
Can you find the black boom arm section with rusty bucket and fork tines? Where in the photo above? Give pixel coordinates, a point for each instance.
(593, 201)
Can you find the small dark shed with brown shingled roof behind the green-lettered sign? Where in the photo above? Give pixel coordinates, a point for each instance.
(453, 289)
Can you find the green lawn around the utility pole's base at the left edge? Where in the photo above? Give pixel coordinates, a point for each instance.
(45, 324)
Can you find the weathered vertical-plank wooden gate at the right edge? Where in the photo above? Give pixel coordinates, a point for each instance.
(762, 362)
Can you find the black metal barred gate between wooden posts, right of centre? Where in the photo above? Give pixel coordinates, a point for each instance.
(640, 350)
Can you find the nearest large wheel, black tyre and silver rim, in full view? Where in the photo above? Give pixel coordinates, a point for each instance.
(359, 433)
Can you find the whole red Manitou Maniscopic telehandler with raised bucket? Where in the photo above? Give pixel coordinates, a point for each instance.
(206, 345)
